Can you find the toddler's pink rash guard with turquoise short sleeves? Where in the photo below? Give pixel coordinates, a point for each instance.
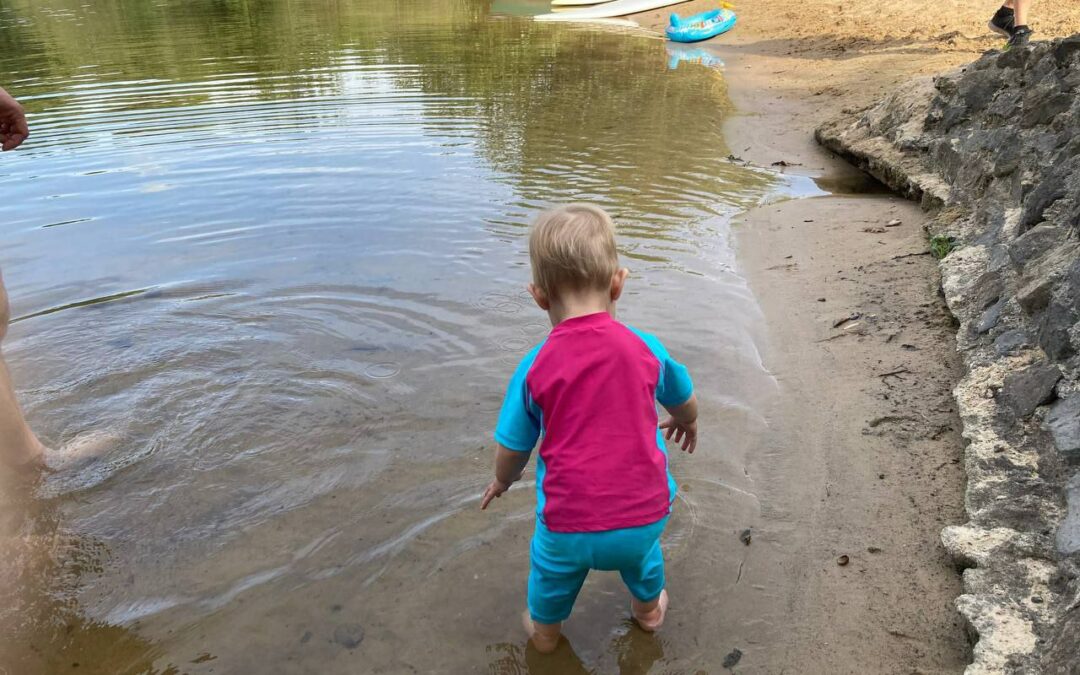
(590, 389)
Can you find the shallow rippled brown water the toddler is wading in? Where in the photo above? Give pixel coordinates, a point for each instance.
(274, 253)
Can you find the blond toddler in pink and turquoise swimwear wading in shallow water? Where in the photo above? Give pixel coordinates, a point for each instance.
(590, 390)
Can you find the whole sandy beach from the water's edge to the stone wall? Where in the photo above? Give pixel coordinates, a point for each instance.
(863, 448)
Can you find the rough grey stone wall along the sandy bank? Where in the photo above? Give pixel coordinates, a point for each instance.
(994, 151)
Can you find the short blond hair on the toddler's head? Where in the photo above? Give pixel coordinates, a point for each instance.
(572, 248)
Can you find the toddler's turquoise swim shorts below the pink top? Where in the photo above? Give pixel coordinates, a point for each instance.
(562, 561)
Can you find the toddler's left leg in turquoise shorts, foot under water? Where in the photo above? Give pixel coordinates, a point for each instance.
(556, 579)
